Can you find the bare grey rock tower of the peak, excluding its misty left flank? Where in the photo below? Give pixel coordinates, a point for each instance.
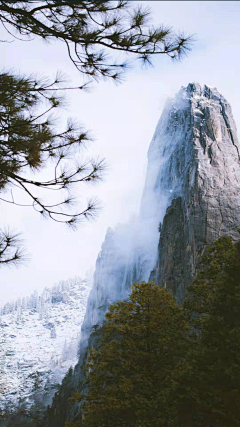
(206, 166)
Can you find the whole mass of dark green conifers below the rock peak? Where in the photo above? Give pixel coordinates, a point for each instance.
(162, 365)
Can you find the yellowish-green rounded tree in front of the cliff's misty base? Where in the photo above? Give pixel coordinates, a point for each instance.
(128, 379)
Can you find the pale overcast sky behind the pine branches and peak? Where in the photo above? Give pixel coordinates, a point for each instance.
(122, 119)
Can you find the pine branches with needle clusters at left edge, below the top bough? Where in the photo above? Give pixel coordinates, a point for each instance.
(30, 142)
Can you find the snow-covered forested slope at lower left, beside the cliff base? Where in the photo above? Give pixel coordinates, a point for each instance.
(38, 343)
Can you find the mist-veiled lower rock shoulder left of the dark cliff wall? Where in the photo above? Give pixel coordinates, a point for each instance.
(120, 263)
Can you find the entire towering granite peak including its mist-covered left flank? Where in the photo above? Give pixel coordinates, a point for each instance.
(193, 190)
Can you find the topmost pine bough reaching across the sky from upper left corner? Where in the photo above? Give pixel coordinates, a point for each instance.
(92, 30)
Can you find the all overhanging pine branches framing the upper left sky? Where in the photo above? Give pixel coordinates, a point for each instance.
(99, 37)
